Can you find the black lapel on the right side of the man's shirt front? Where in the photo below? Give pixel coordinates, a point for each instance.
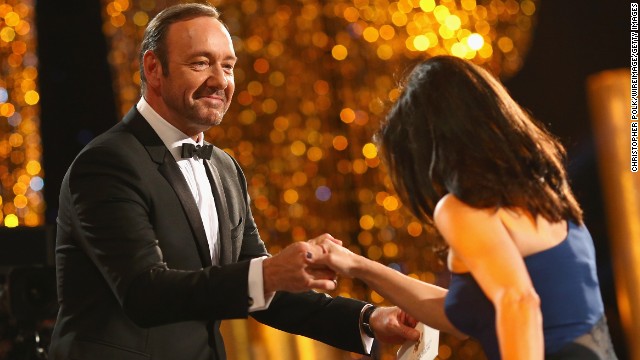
(227, 248)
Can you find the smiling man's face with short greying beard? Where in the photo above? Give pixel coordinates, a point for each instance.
(198, 88)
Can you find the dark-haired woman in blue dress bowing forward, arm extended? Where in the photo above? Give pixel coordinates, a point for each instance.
(468, 160)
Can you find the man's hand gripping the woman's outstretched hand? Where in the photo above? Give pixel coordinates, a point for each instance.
(292, 269)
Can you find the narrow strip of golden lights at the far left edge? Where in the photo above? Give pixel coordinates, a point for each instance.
(21, 175)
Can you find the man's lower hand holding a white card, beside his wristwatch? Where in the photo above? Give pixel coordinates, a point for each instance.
(392, 325)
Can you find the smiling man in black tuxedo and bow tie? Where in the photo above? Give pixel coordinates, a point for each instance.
(156, 241)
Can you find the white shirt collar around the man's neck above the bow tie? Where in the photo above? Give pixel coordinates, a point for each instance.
(169, 134)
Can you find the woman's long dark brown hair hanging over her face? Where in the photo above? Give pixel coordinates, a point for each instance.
(455, 129)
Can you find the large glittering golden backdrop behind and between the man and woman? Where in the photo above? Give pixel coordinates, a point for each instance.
(313, 80)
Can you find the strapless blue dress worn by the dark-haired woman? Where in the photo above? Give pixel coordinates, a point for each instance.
(565, 279)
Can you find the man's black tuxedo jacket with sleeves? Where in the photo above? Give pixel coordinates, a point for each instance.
(134, 275)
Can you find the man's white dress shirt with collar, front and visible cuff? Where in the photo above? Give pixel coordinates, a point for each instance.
(196, 177)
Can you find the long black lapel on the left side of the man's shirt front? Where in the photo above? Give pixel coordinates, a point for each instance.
(170, 170)
